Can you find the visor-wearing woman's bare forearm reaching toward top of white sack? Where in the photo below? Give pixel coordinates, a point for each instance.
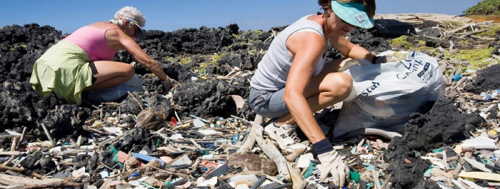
(349, 49)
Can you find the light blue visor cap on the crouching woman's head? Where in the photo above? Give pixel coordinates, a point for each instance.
(353, 13)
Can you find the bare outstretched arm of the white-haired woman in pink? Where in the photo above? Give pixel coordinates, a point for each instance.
(135, 50)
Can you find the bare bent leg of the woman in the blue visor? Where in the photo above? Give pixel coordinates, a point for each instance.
(325, 89)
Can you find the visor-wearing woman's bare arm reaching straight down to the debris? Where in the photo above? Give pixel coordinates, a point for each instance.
(306, 48)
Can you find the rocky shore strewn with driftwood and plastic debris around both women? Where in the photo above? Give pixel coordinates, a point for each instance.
(202, 134)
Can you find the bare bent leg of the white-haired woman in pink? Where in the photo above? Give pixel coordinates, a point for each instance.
(110, 74)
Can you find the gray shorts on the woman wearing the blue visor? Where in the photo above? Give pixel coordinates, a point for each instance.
(268, 104)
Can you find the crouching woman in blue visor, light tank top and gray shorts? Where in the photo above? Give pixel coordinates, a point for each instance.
(288, 86)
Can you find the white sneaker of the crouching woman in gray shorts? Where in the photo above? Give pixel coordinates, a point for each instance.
(285, 135)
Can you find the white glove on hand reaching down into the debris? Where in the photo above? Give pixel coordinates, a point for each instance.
(331, 163)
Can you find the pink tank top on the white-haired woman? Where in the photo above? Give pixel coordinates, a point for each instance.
(93, 41)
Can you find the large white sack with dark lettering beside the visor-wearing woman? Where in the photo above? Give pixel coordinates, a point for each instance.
(384, 95)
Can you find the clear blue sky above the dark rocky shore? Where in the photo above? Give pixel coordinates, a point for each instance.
(168, 15)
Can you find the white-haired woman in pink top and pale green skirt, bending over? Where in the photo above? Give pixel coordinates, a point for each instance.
(84, 60)
